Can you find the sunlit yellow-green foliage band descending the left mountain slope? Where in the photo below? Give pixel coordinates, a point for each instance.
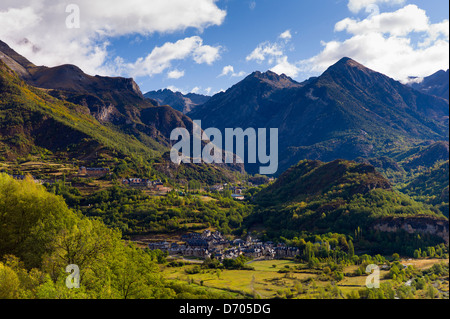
(20, 104)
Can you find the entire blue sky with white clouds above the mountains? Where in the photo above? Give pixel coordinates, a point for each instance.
(164, 44)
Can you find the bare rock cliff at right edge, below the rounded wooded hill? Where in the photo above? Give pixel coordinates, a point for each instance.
(421, 225)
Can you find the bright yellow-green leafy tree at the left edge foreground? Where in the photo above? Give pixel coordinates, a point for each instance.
(30, 218)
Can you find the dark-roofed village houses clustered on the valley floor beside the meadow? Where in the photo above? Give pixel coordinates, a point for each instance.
(208, 244)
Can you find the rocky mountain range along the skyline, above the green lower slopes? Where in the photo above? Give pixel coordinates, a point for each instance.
(349, 112)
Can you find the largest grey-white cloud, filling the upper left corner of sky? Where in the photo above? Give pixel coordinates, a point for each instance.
(37, 29)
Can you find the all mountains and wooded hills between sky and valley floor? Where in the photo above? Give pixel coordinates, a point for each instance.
(348, 113)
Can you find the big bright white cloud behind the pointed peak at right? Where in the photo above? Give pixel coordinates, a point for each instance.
(387, 42)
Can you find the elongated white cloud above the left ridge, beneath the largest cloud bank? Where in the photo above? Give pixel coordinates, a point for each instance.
(161, 58)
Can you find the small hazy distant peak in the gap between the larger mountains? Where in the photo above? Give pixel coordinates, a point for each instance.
(180, 102)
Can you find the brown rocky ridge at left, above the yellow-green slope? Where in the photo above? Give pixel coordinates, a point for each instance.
(111, 100)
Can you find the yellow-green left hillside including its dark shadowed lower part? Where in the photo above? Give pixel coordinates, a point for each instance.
(32, 121)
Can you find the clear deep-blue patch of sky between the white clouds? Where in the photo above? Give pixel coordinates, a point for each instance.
(244, 28)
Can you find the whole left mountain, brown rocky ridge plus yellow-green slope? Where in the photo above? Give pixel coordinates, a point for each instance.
(63, 110)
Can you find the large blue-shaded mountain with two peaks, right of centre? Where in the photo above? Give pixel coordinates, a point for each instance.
(348, 112)
